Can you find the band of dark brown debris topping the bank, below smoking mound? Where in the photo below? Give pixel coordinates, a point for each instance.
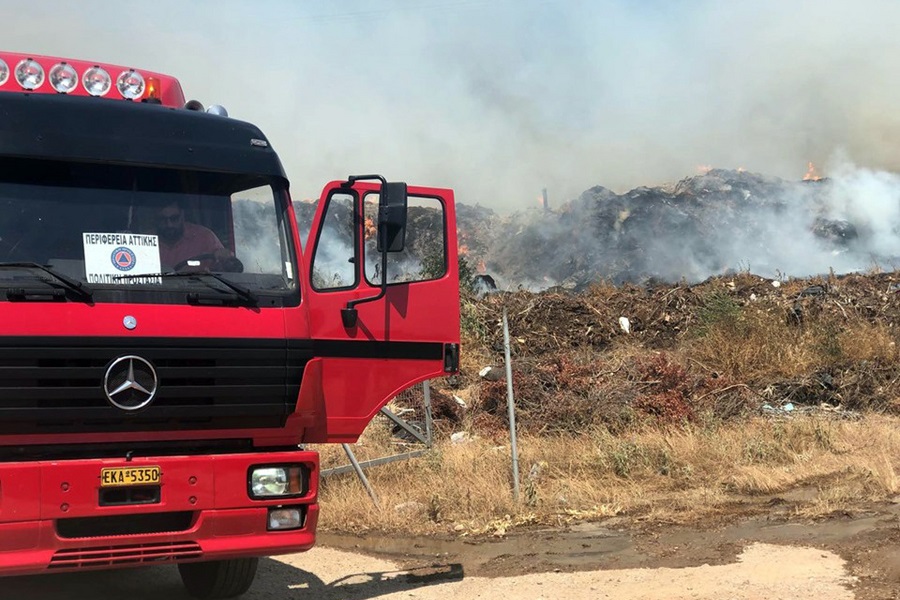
(659, 316)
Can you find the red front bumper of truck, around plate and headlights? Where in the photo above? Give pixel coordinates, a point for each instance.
(208, 493)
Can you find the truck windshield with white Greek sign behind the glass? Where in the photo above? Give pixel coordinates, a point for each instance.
(118, 228)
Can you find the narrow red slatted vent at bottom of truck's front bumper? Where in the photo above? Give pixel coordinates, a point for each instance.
(109, 556)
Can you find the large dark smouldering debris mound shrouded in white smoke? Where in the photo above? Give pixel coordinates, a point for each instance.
(719, 222)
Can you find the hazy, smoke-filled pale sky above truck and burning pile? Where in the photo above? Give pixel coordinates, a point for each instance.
(498, 99)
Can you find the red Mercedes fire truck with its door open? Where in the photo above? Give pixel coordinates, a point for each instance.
(167, 346)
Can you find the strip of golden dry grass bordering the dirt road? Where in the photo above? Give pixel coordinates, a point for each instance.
(682, 474)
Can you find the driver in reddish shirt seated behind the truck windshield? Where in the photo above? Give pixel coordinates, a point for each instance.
(185, 244)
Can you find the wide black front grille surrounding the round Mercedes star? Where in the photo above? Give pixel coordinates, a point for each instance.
(57, 383)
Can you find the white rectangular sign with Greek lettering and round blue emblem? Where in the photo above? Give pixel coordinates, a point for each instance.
(110, 255)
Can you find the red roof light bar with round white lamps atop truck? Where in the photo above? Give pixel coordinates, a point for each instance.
(55, 75)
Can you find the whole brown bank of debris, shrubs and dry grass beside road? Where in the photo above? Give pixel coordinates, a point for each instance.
(733, 393)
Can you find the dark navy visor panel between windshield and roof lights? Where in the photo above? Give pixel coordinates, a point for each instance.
(57, 127)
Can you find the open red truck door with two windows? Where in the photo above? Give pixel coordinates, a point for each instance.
(405, 336)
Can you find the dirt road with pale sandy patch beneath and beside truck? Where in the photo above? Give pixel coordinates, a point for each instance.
(842, 558)
